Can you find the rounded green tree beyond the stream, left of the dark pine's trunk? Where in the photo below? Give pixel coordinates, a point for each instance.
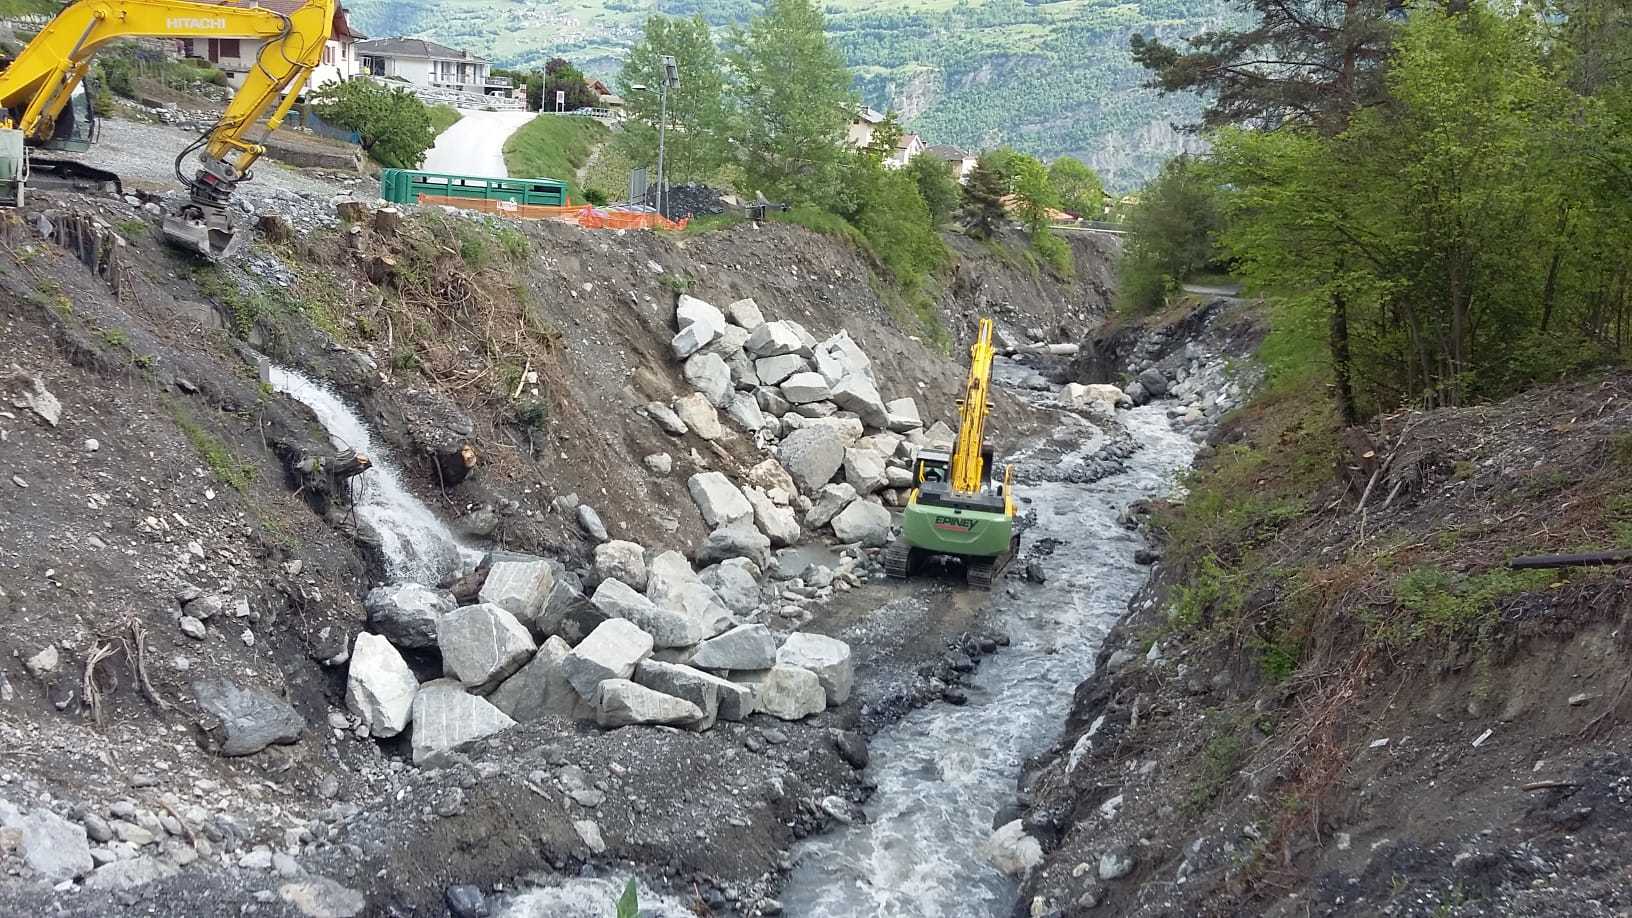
(1173, 233)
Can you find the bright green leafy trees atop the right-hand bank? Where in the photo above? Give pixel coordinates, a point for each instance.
(1471, 228)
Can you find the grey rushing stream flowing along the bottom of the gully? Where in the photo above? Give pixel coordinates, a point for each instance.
(944, 772)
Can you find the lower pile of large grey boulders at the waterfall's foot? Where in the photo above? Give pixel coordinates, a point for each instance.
(654, 643)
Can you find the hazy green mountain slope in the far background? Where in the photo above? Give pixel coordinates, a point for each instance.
(1050, 78)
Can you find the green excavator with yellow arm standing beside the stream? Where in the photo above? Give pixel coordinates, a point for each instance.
(959, 507)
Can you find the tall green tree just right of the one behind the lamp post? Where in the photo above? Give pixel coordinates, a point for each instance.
(796, 102)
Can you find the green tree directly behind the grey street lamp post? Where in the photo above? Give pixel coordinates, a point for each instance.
(696, 146)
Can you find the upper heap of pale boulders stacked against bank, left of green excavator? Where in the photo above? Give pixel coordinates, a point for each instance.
(843, 453)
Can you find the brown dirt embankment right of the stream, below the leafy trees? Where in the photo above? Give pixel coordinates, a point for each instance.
(1337, 700)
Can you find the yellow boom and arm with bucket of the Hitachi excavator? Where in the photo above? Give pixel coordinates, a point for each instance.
(38, 84)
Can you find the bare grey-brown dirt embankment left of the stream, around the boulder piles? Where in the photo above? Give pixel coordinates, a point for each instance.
(539, 349)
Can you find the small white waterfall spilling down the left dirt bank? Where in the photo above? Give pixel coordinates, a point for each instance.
(414, 540)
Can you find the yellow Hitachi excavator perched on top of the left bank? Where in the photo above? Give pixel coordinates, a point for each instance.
(47, 107)
